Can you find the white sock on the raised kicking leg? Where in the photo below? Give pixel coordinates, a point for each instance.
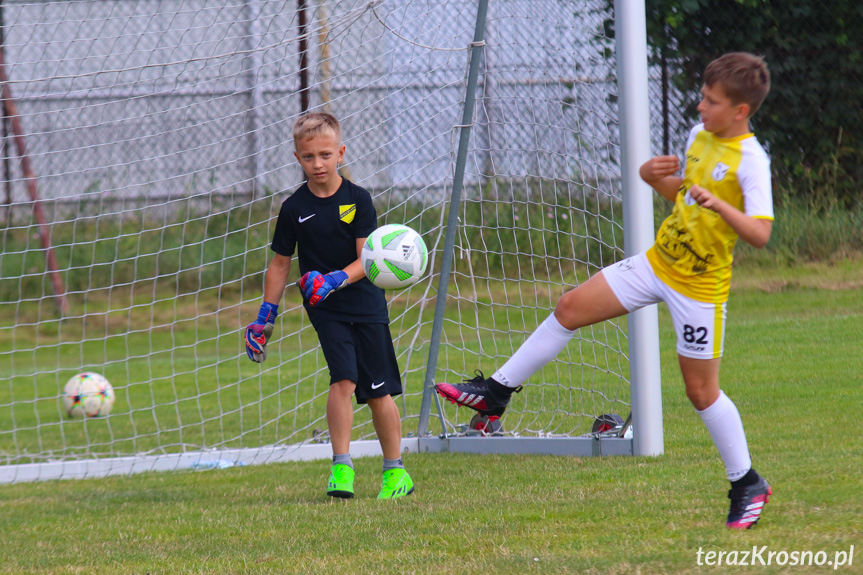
(541, 347)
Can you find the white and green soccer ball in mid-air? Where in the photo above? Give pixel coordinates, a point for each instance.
(394, 256)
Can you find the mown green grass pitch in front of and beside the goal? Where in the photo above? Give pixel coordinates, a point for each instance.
(793, 366)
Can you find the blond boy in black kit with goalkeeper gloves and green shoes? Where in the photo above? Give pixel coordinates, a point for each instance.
(327, 220)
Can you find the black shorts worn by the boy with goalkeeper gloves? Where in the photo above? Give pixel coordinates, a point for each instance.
(362, 353)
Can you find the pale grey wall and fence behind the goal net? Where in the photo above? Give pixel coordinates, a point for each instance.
(148, 101)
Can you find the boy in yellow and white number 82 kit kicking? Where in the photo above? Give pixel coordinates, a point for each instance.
(724, 194)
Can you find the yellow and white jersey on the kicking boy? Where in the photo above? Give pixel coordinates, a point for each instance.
(693, 249)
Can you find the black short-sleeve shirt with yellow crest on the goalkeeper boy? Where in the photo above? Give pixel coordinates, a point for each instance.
(325, 233)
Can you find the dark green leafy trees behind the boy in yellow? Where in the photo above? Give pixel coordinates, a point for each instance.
(812, 121)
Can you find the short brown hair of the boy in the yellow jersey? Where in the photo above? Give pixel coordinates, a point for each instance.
(744, 78)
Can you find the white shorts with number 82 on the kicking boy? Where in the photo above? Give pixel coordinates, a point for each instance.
(700, 326)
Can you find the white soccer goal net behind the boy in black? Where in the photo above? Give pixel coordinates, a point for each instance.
(147, 149)
